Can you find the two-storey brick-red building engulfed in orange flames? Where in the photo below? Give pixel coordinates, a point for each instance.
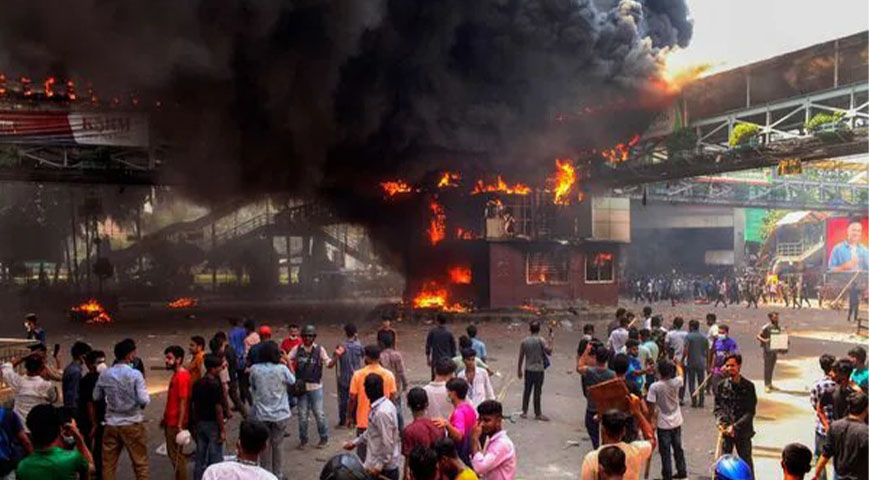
(499, 244)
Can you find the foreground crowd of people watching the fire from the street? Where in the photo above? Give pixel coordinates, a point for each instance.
(454, 430)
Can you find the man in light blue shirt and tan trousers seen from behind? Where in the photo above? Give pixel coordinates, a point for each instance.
(126, 396)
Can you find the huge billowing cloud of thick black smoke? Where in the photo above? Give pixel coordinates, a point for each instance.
(327, 97)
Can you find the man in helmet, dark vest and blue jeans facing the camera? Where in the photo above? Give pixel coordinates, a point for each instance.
(309, 359)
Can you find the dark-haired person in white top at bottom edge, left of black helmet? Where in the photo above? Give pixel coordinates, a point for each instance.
(252, 438)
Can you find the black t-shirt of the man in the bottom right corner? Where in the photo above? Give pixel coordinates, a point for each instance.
(847, 444)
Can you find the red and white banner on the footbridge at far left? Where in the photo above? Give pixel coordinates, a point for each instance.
(122, 129)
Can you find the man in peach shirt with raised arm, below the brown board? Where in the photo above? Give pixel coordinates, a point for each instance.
(636, 453)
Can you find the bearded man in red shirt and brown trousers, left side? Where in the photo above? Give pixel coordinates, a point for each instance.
(175, 416)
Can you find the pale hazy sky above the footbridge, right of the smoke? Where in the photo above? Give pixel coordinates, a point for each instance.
(730, 33)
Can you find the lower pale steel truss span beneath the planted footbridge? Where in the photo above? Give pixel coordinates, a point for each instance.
(780, 193)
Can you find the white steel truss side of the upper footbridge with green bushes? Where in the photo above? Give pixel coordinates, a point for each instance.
(782, 136)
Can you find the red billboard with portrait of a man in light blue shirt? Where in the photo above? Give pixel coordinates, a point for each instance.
(848, 244)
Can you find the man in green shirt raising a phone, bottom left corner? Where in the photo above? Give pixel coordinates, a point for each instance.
(49, 459)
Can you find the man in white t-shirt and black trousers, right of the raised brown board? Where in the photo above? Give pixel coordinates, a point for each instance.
(663, 400)
